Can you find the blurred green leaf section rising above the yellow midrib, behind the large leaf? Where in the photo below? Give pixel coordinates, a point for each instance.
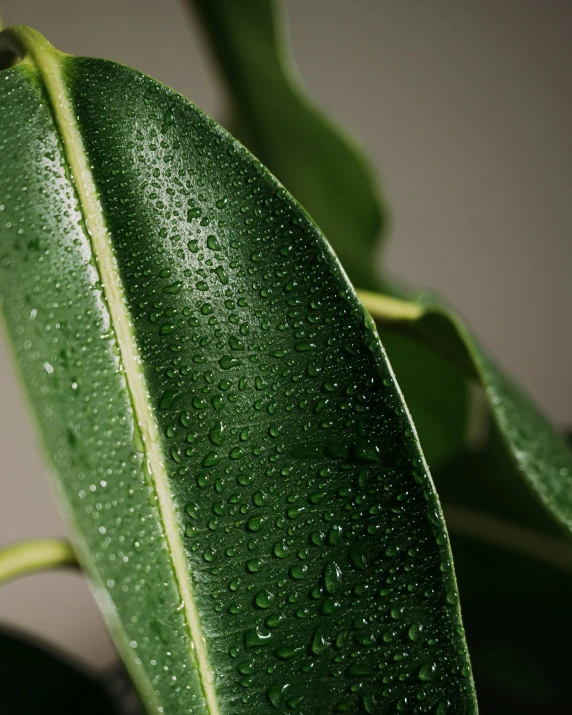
(316, 160)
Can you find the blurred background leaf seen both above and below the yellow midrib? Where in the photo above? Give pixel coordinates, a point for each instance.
(328, 172)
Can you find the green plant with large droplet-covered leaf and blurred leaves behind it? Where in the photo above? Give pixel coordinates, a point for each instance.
(148, 199)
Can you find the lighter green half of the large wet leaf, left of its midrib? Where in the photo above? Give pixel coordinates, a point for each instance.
(55, 312)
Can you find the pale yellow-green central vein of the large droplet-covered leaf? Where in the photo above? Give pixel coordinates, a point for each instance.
(50, 66)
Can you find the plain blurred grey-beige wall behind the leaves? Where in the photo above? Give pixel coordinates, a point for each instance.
(465, 108)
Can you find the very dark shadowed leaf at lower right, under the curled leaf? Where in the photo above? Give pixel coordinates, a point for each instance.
(508, 572)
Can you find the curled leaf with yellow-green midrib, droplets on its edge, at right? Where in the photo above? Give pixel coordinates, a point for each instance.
(541, 461)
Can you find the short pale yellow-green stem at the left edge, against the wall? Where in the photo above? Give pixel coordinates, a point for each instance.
(26, 557)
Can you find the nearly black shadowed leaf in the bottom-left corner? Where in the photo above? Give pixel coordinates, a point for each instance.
(35, 679)
